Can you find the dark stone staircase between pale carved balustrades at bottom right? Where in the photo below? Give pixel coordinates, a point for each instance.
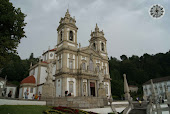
(139, 109)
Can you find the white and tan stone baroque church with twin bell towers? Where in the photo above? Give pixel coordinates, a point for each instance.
(76, 69)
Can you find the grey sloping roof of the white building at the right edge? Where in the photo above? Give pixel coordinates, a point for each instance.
(156, 80)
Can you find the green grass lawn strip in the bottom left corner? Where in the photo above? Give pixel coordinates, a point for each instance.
(22, 109)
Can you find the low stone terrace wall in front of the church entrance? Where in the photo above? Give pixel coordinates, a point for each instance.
(78, 102)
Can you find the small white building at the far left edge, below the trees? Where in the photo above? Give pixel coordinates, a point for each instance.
(6, 87)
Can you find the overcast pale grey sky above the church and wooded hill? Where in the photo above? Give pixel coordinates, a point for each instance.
(128, 27)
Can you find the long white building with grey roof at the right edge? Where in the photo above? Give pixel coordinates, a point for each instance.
(160, 84)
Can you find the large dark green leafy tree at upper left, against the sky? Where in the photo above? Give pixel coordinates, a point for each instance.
(11, 30)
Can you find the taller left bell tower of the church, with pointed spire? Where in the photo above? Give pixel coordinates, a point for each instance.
(67, 32)
